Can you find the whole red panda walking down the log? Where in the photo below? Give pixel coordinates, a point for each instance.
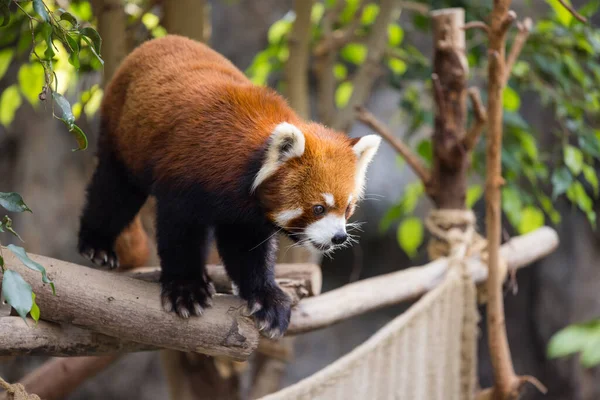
(224, 158)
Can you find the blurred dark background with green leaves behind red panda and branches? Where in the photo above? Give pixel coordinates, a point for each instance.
(552, 109)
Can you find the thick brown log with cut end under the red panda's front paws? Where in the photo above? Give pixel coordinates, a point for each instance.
(130, 309)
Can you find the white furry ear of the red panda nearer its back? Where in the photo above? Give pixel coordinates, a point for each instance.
(286, 142)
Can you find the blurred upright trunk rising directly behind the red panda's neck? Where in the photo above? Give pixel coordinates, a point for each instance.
(296, 67)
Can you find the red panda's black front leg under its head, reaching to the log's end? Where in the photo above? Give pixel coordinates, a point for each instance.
(249, 257)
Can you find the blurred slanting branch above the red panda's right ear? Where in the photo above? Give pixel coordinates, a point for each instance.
(367, 73)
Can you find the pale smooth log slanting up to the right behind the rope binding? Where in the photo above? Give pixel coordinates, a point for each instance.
(378, 292)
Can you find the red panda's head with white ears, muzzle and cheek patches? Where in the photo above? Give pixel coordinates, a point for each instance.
(310, 181)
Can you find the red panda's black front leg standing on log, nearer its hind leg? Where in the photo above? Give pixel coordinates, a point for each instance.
(183, 245)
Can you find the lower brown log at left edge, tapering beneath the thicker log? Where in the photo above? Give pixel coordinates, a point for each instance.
(18, 338)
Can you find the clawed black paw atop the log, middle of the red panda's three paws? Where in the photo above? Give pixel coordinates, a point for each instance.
(187, 297)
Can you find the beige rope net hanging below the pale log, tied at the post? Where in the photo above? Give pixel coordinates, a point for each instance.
(428, 352)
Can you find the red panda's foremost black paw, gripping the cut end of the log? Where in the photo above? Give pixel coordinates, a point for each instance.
(271, 309)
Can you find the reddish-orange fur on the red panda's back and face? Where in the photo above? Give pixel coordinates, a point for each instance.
(180, 108)
